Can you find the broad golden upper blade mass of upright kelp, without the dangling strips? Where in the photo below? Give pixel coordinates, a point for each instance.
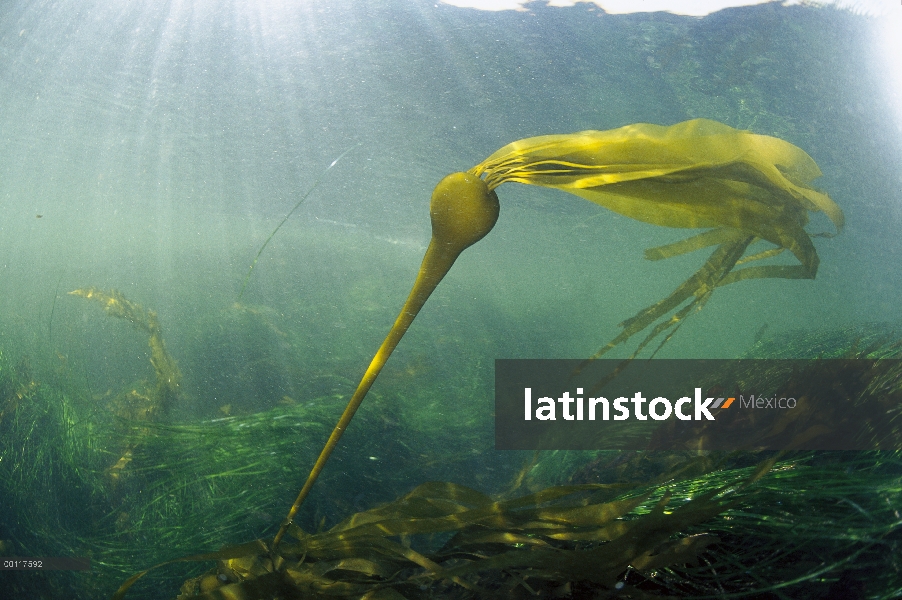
(695, 174)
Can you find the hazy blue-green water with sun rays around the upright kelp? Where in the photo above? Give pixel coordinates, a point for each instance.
(152, 147)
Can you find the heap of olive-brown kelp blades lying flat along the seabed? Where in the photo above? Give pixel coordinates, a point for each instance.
(544, 543)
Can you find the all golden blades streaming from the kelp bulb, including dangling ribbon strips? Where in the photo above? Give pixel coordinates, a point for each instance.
(697, 174)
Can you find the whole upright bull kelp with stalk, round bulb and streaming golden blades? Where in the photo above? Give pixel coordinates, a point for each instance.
(740, 186)
